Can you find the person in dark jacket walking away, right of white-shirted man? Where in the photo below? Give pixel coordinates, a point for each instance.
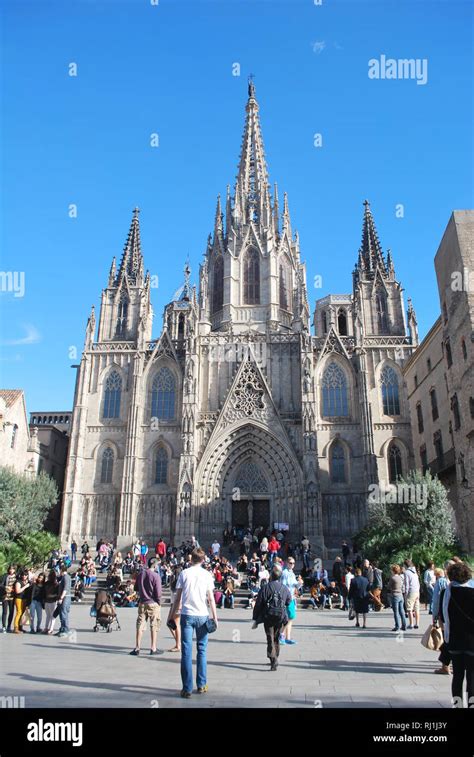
(271, 610)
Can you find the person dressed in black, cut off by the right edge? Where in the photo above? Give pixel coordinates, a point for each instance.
(458, 612)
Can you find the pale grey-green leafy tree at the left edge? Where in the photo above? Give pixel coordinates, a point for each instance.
(24, 503)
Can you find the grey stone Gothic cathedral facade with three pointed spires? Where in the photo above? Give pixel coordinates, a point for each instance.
(236, 414)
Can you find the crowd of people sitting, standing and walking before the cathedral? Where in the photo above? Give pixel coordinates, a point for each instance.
(265, 569)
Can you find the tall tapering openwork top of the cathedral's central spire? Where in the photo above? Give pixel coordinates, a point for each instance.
(252, 187)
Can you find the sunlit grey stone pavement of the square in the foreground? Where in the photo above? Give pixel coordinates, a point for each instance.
(334, 664)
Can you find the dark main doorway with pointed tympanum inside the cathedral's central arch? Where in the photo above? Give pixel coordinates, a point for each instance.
(250, 499)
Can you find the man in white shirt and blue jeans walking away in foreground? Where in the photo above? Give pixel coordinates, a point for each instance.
(195, 594)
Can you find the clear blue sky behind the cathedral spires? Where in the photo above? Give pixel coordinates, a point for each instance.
(168, 69)
